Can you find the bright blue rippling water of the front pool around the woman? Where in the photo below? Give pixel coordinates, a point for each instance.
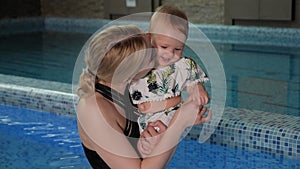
(33, 139)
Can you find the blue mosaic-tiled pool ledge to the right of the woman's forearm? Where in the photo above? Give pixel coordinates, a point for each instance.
(242, 132)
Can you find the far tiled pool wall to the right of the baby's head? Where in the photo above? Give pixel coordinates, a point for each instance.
(252, 35)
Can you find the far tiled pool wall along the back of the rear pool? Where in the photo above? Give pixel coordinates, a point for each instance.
(216, 33)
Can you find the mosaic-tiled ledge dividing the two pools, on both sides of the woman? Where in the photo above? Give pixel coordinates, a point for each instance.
(232, 130)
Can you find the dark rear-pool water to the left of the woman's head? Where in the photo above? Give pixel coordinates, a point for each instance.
(41, 55)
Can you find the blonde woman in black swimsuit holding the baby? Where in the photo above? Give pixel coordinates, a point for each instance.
(106, 120)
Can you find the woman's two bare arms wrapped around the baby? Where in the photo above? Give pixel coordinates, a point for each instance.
(106, 137)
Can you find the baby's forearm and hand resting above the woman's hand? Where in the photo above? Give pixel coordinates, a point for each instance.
(198, 94)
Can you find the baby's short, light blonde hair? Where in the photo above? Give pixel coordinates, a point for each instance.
(172, 16)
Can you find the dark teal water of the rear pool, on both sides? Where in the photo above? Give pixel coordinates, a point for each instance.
(258, 77)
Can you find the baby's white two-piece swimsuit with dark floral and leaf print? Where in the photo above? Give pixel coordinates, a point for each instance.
(163, 83)
